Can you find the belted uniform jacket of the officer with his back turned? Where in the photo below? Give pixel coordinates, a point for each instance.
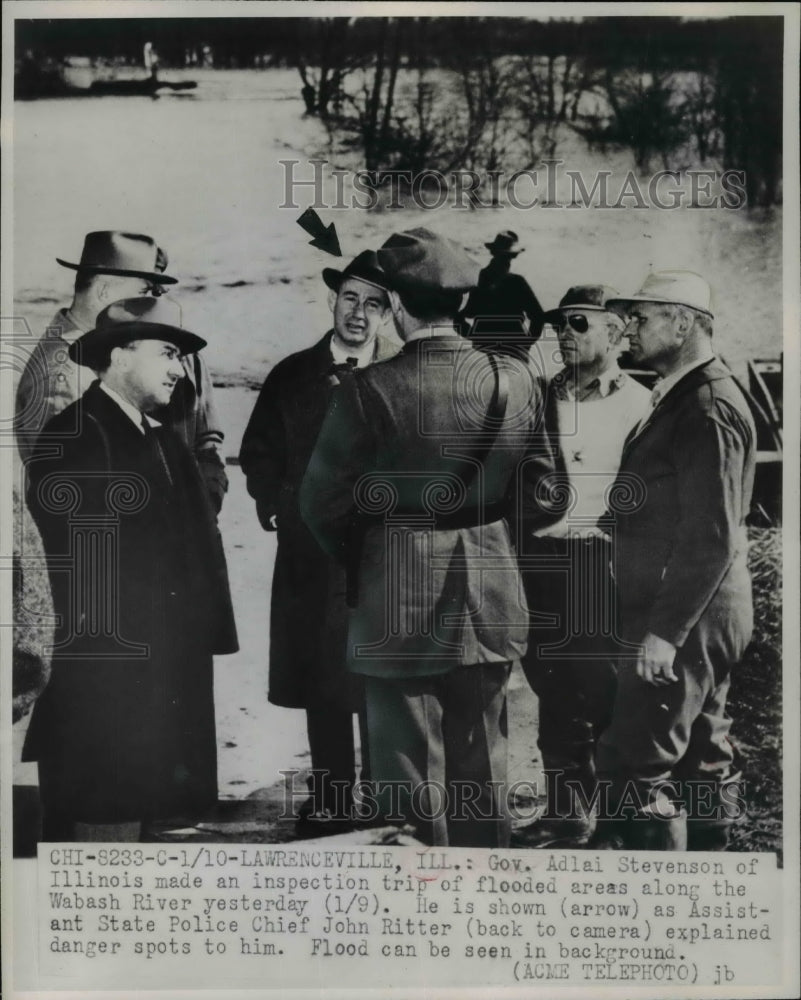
(439, 585)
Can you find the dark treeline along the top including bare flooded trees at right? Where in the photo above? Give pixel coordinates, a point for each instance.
(446, 93)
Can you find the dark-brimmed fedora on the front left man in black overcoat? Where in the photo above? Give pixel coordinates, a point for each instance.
(140, 318)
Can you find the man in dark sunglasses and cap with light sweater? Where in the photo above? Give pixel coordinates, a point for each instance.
(591, 406)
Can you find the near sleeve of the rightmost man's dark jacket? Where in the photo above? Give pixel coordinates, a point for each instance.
(710, 452)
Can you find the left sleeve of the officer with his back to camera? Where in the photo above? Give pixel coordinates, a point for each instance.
(344, 452)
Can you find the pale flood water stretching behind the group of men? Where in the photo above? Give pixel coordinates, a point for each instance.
(200, 171)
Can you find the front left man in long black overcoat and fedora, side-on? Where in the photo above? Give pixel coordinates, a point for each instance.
(124, 732)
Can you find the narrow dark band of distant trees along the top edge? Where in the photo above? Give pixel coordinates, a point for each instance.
(250, 42)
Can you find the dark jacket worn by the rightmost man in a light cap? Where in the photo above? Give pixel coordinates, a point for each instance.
(679, 505)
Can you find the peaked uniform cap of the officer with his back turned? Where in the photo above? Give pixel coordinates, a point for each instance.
(418, 260)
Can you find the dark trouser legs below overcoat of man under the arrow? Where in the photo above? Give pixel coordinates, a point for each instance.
(333, 756)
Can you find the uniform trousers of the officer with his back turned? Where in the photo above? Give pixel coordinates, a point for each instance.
(438, 753)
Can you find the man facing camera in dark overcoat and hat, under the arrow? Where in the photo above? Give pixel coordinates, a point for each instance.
(308, 620)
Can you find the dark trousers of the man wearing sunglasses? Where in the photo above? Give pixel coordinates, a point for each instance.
(570, 662)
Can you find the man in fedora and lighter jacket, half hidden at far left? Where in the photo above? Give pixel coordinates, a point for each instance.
(116, 265)
